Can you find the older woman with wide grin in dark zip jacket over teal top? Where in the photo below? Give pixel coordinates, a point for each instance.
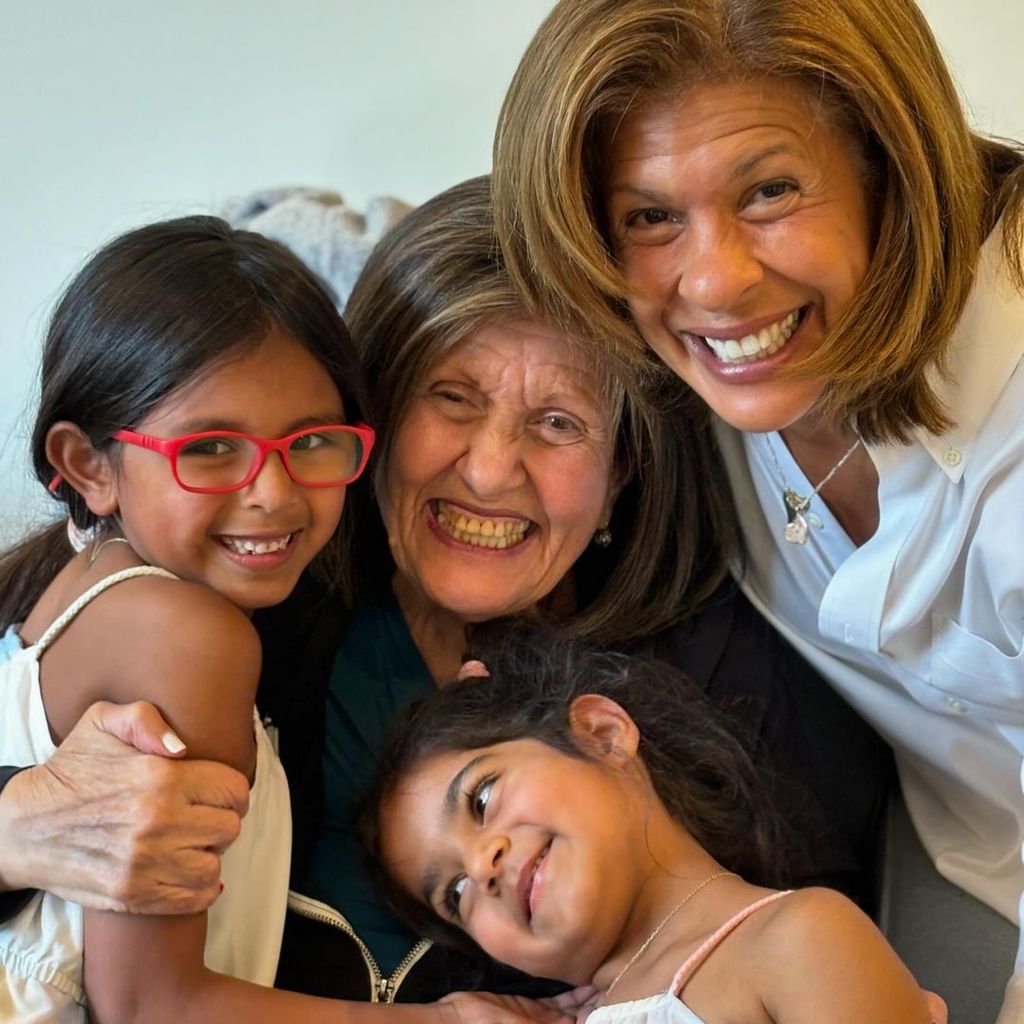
(518, 478)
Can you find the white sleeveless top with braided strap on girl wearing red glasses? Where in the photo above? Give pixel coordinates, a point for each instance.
(41, 948)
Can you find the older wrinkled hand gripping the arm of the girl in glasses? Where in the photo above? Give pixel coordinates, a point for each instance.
(115, 823)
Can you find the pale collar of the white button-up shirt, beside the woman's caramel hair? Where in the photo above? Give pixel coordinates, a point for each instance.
(987, 347)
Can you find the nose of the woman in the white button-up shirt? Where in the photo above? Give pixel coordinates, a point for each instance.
(719, 266)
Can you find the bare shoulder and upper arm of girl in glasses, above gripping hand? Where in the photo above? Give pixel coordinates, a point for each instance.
(176, 644)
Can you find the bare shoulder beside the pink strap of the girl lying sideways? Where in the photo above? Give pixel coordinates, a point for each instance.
(820, 957)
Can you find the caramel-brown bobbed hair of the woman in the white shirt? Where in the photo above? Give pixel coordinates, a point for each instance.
(872, 67)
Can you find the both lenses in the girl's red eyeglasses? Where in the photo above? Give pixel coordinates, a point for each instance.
(324, 456)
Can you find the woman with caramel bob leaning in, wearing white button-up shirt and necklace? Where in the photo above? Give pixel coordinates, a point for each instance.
(784, 200)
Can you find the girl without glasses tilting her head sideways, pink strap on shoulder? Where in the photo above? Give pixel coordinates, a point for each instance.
(571, 815)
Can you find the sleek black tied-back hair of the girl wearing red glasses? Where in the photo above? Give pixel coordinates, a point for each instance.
(148, 315)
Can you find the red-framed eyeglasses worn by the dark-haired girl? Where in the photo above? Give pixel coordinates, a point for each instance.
(216, 462)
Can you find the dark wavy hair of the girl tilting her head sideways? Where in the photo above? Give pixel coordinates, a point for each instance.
(697, 766)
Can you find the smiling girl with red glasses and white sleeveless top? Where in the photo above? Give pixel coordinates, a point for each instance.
(196, 423)
